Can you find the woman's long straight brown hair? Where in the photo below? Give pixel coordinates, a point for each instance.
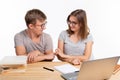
(82, 19)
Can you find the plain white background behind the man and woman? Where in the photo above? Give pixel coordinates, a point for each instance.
(103, 20)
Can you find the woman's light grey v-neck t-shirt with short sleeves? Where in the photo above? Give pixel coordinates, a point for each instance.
(71, 48)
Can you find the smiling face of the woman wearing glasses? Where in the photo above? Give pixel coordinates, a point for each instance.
(74, 24)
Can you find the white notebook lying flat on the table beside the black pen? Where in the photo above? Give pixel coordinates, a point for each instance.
(66, 68)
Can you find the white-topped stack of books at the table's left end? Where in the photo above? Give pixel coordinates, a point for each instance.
(14, 63)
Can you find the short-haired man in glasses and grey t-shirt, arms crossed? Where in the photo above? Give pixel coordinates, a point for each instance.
(33, 42)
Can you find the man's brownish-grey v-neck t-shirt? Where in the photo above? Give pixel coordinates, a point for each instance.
(22, 39)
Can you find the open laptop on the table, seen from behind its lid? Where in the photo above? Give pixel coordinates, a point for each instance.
(99, 69)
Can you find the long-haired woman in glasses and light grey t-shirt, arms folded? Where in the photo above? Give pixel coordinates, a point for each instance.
(75, 44)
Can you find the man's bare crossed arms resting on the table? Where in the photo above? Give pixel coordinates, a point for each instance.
(34, 56)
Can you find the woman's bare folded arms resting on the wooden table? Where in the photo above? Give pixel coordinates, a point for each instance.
(71, 58)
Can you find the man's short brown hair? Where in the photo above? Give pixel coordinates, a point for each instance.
(33, 15)
